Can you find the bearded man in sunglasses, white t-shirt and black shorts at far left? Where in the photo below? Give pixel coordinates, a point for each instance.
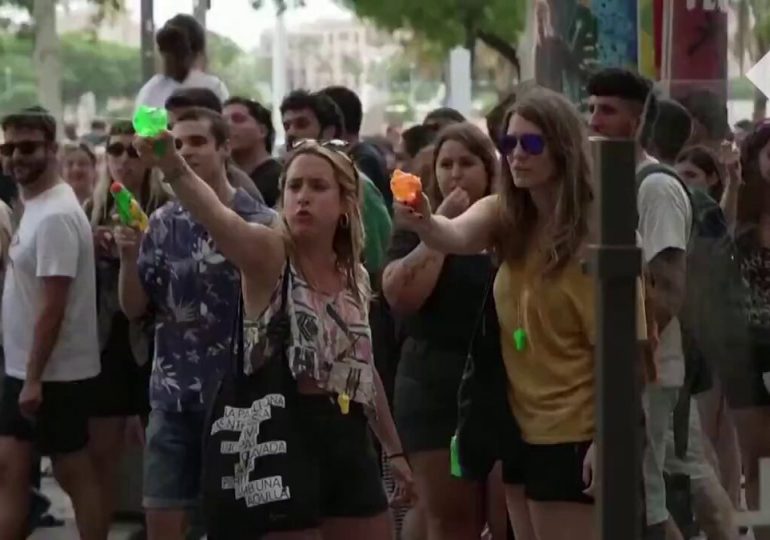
(49, 332)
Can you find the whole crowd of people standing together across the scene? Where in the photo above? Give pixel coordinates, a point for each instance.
(382, 311)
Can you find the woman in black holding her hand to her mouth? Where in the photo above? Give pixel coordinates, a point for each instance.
(435, 295)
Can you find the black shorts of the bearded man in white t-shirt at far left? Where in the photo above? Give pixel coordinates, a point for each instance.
(61, 425)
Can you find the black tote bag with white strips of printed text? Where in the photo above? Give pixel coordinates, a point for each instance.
(258, 475)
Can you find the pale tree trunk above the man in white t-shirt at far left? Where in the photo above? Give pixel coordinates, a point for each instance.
(47, 58)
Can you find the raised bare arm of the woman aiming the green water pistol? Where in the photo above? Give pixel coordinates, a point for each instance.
(256, 249)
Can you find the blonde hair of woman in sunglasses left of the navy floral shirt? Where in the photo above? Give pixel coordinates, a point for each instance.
(154, 194)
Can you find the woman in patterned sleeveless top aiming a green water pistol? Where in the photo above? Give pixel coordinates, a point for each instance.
(319, 244)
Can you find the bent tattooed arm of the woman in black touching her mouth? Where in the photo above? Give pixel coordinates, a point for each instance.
(409, 281)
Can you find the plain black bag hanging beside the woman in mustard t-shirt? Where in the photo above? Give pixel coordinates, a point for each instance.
(486, 429)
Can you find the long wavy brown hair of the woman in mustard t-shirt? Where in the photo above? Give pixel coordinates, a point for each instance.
(567, 142)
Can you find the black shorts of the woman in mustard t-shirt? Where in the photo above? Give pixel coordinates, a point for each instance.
(550, 473)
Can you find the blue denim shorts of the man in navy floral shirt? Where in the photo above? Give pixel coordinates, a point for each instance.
(173, 460)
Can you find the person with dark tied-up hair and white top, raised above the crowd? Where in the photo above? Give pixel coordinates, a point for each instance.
(182, 45)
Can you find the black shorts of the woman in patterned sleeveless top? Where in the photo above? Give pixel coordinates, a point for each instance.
(349, 469)
